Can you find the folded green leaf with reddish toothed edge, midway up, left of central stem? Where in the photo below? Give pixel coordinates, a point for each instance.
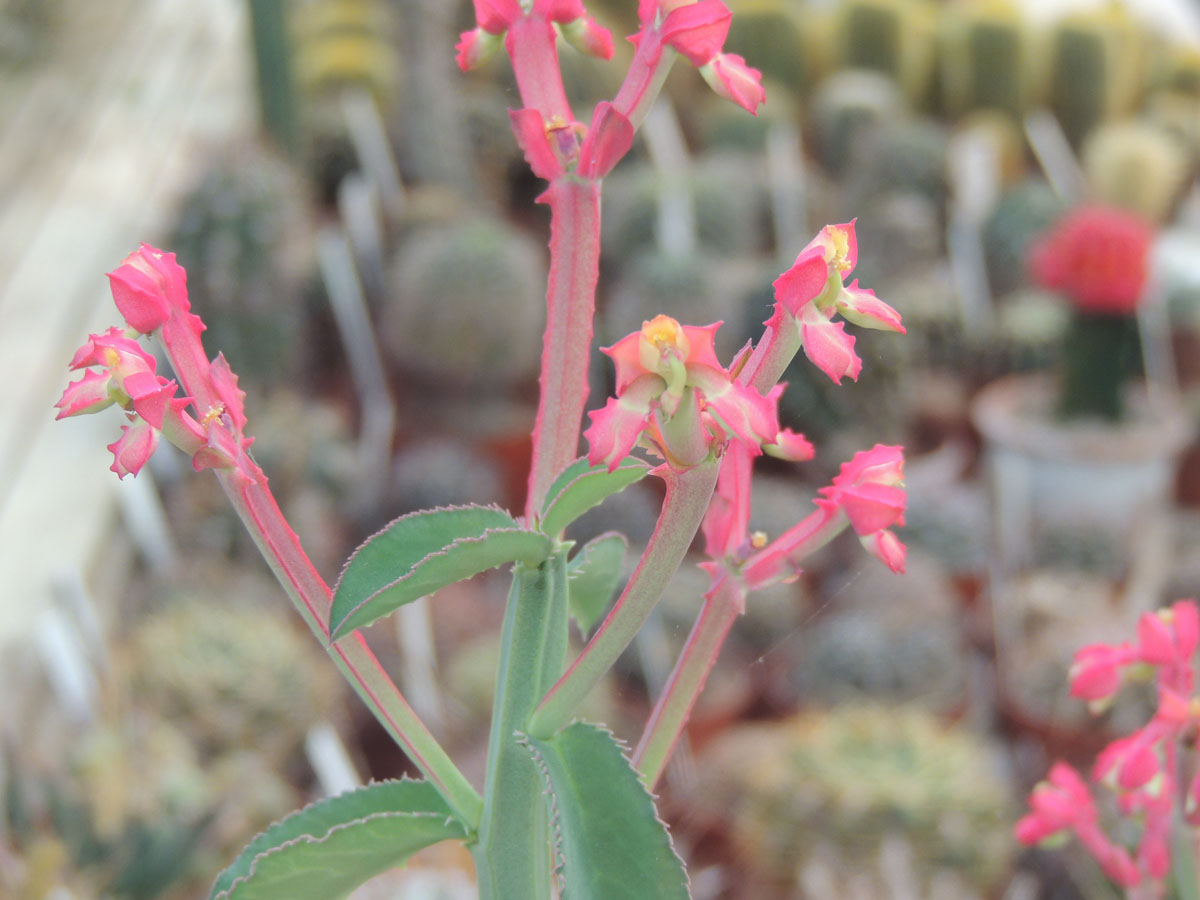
(422, 553)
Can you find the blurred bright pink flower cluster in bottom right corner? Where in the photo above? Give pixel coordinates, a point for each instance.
(1144, 770)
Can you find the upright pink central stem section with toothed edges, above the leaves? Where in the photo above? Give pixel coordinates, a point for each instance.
(567, 347)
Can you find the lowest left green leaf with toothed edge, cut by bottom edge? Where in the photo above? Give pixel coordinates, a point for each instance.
(327, 850)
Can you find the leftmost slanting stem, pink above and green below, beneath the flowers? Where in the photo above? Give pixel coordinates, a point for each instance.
(313, 598)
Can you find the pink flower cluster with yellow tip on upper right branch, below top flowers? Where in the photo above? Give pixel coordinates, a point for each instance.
(812, 292)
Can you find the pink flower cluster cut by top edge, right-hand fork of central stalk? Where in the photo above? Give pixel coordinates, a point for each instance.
(697, 29)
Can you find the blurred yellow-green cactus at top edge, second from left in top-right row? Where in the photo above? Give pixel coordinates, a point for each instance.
(896, 38)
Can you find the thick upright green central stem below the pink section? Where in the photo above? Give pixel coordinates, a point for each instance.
(513, 851)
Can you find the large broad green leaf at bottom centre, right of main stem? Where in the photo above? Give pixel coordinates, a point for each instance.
(610, 842)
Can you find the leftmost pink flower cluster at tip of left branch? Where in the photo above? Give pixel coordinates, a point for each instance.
(151, 292)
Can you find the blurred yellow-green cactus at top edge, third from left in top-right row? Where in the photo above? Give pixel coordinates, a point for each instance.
(987, 59)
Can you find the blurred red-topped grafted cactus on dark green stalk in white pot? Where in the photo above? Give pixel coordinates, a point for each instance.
(1099, 259)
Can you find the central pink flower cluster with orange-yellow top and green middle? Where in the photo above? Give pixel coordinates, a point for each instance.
(673, 389)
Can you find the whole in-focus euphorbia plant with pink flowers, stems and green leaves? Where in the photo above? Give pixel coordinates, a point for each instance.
(562, 805)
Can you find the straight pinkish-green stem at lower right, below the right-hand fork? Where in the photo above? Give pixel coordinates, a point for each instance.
(722, 609)
